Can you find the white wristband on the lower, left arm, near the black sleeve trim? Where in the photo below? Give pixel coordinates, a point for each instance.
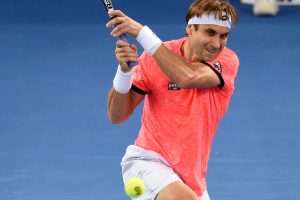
(122, 81)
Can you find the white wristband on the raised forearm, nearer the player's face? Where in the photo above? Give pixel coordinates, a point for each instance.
(149, 41)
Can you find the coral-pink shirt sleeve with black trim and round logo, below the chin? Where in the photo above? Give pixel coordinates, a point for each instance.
(225, 66)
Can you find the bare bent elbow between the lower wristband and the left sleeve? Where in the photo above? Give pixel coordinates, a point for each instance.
(121, 106)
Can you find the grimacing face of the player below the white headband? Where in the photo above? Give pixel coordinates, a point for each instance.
(206, 42)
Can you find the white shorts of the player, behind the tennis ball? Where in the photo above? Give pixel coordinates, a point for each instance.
(152, 168)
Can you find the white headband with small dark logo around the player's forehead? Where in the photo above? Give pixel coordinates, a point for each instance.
(211, 19)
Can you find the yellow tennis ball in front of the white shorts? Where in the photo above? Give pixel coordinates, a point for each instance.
(134, 187)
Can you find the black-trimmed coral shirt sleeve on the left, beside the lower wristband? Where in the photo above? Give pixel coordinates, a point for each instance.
(141, 83)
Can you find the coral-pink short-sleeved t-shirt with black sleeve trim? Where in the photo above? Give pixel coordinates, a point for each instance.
(180, 124)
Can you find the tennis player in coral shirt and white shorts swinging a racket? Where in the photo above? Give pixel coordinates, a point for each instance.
(186, 85)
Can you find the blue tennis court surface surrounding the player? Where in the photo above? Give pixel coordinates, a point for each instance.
(56, 67)
